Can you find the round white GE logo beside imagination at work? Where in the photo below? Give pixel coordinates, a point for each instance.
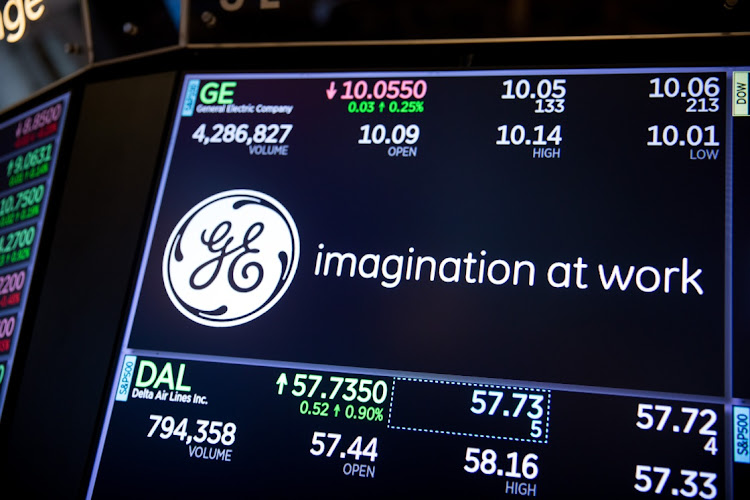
(231, 258)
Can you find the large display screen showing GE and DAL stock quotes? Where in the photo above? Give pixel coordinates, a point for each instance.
(515, 283)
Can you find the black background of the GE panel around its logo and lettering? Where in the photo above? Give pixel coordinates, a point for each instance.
(610, 199)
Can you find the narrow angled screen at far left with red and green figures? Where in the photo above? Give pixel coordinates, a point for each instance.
(29, 145)
